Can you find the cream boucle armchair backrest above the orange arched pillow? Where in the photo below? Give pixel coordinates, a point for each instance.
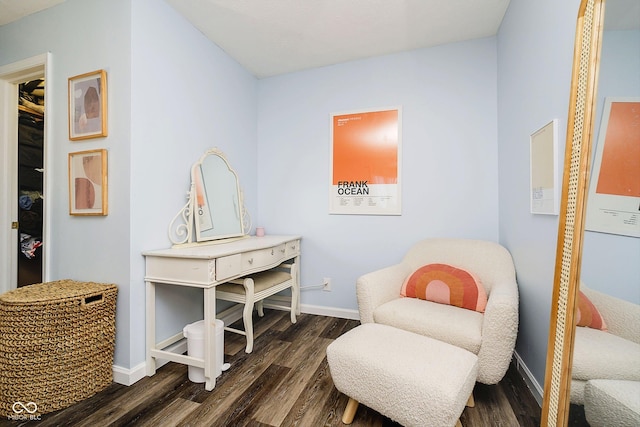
(489, 261)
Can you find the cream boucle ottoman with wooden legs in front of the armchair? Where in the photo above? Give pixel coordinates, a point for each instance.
(412, 379)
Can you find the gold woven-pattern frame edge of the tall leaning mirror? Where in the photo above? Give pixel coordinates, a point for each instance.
(580, 124)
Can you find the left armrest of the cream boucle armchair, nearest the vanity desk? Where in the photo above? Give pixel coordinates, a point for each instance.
(380, 286)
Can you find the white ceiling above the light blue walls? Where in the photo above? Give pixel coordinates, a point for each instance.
(271, 37)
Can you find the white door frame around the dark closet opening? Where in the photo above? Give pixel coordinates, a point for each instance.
(11, 76)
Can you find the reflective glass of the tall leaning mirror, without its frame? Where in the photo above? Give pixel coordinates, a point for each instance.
(610, 270)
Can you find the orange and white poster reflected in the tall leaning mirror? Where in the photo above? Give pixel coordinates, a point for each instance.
(614, 194)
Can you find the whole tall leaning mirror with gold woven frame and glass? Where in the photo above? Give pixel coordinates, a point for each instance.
(590, 368)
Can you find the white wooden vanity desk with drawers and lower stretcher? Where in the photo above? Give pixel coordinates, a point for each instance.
(207, 266)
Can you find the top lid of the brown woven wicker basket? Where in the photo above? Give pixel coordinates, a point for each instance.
(53, 291)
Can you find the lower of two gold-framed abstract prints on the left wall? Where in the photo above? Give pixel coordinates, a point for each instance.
(88, 182)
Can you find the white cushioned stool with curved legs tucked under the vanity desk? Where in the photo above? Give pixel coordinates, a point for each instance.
(253, 289)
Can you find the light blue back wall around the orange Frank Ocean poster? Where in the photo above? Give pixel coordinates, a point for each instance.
(449, 159)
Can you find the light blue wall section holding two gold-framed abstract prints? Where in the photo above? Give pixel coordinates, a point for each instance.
(83, 36)
